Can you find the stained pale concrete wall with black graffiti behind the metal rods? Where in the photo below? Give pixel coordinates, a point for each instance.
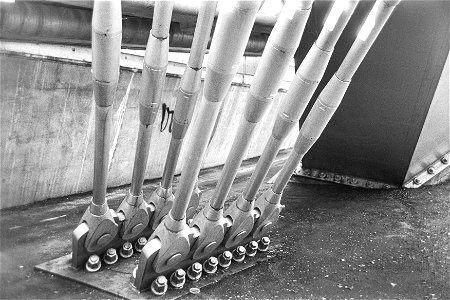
(47, 128)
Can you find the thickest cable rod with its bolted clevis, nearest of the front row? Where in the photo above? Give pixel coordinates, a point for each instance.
(171, 242)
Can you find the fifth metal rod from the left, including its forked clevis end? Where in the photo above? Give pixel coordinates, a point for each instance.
(282, 43)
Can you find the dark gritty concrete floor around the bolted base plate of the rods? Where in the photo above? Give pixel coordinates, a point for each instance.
(336, 242)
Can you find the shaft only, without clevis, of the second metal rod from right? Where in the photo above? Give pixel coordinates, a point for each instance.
(301, 90)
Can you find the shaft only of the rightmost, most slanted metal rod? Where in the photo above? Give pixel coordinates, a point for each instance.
(333, 93)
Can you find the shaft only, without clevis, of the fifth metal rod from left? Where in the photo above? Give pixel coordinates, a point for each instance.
(280, 48)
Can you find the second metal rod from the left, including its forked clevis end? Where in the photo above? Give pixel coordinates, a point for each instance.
(138, 213)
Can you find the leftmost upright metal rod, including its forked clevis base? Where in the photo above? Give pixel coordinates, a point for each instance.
(99, 225)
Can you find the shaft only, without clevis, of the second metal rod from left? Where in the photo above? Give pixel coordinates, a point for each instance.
(152, 85)
